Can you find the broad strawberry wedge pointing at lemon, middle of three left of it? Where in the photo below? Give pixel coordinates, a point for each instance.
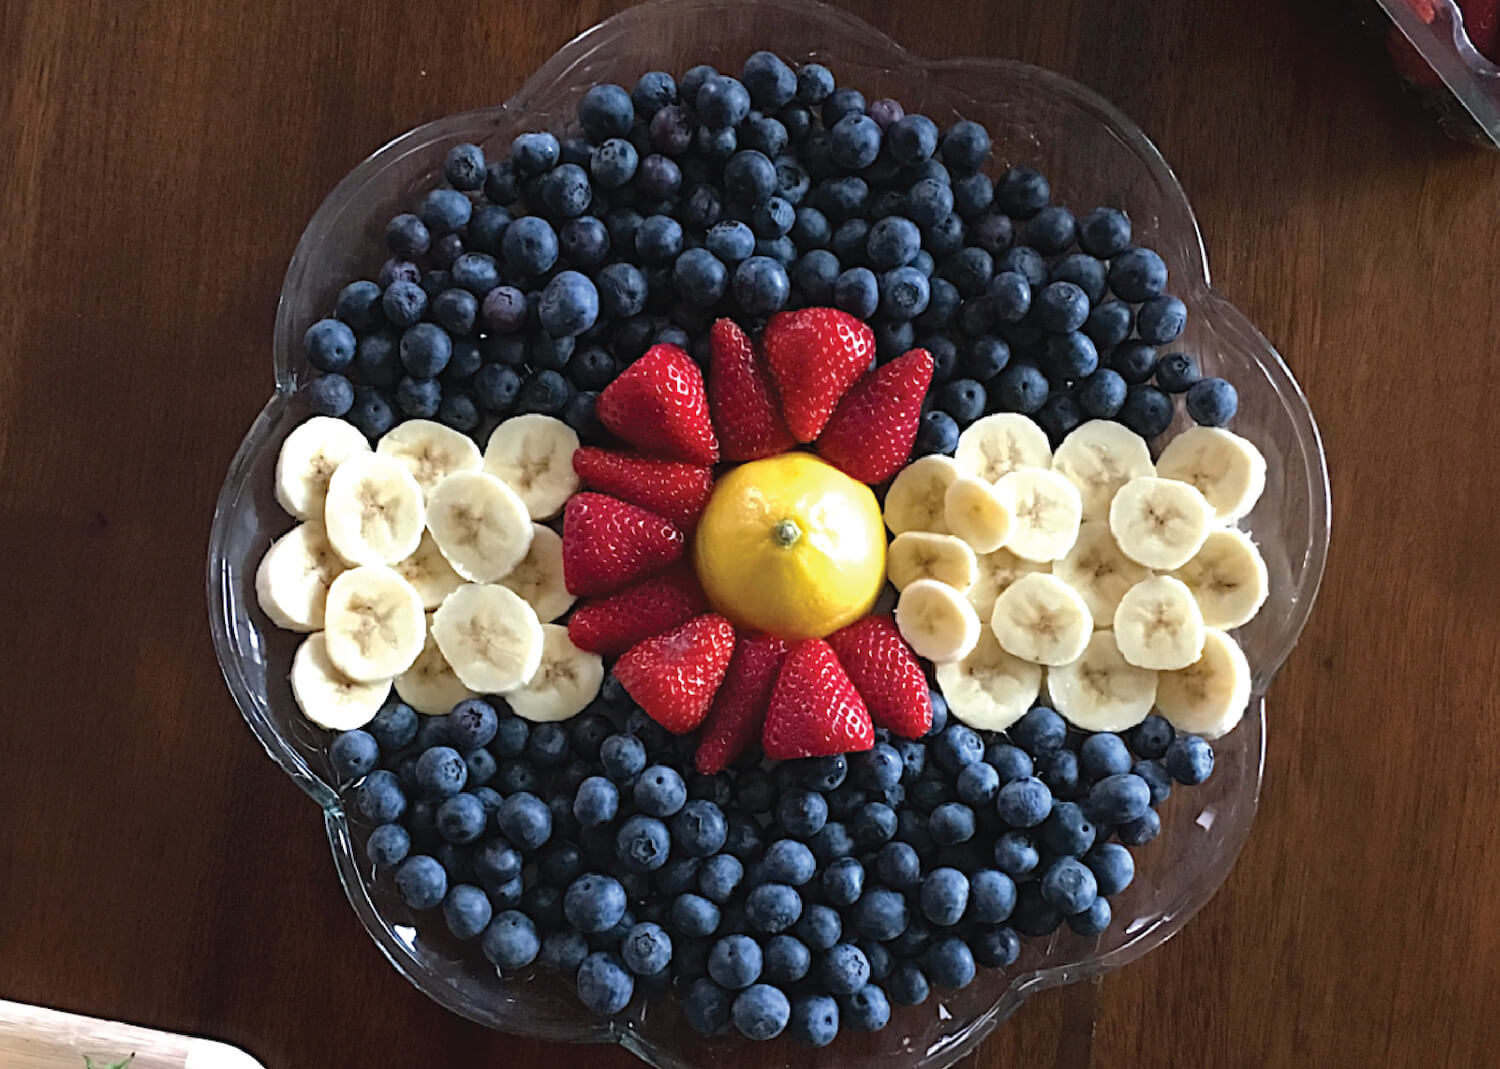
(610, 543)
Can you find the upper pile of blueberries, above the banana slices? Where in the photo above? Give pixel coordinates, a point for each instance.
(526, 284)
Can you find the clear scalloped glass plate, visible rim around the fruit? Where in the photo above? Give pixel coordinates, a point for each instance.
(1094, 155)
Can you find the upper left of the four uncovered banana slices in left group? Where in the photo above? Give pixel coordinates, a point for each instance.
(374, 511)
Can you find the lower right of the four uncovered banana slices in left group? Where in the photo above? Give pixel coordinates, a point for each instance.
(490, 636)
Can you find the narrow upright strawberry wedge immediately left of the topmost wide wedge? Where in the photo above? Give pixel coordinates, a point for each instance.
(748, 413)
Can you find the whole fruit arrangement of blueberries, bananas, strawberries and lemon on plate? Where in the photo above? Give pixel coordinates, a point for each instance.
(736, 563)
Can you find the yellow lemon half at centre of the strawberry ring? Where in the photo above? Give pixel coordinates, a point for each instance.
(793, 546)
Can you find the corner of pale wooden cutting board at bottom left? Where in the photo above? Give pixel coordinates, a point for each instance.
(37, 1038)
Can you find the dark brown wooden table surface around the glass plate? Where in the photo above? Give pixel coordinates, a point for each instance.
(158, 161)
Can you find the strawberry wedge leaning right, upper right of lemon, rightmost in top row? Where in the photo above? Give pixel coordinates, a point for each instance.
(871, 434)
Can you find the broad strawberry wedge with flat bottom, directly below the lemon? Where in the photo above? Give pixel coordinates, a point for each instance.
(815, 710)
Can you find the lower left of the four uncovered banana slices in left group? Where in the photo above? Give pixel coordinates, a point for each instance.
(376, 626)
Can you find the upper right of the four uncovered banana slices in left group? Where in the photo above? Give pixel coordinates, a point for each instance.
(479, 524)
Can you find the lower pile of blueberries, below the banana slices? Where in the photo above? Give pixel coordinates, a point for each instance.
(797, 897)
